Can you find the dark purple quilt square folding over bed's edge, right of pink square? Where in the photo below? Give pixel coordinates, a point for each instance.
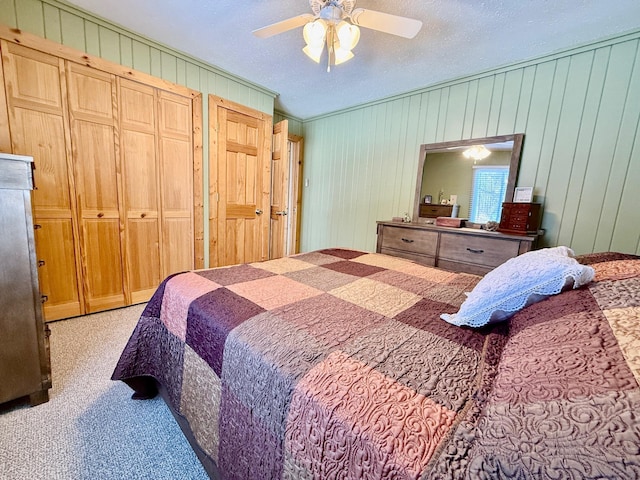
(211, 317)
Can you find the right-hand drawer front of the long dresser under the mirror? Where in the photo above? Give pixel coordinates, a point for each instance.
(486, 251)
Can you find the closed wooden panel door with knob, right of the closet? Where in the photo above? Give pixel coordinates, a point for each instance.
(240, 167)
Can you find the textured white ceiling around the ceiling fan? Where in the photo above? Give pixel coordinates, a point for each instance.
(458, 37)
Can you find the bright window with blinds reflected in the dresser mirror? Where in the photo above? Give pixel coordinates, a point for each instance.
(487, 193)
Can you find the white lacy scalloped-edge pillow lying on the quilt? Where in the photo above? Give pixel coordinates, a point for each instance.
(519, 282)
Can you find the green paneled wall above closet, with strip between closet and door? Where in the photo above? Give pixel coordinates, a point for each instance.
(78, 29)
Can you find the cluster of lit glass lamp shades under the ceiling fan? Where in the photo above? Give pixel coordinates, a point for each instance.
(340, 38)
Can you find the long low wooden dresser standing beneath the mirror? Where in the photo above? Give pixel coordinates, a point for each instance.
(457, 249)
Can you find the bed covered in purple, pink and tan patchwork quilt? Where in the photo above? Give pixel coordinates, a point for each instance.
(338, 364)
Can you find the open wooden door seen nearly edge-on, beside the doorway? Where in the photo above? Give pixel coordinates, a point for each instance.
(279, 190)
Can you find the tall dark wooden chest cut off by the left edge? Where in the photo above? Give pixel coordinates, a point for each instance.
(25, 369)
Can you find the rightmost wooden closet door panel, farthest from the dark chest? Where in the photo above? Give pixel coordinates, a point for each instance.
(176, 182)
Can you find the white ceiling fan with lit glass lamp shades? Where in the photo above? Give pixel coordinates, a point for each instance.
(335, 23)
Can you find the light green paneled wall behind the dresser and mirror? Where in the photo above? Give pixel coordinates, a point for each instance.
(579, 111)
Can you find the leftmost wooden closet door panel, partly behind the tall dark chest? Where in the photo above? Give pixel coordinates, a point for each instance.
(36, 100)
